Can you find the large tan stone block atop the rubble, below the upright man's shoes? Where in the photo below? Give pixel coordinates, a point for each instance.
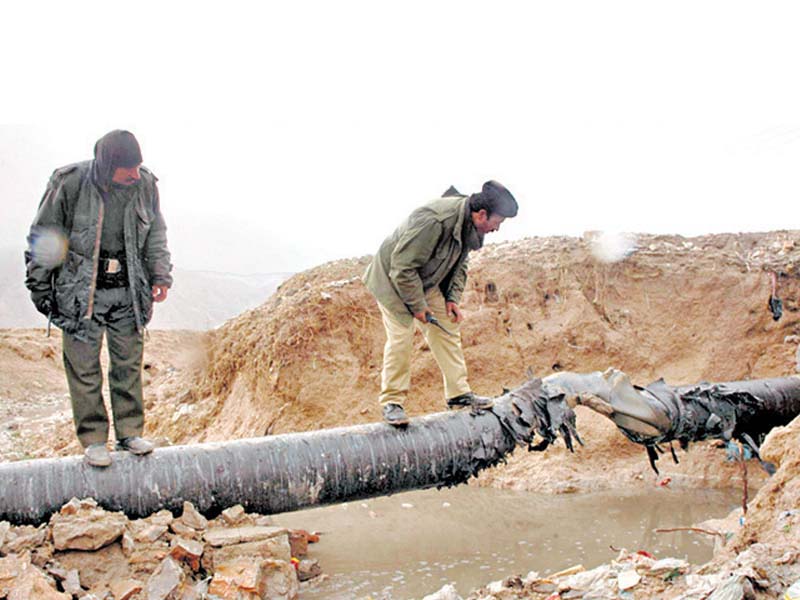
(87, 529)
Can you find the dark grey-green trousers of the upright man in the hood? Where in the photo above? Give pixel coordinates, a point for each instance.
(114, 316)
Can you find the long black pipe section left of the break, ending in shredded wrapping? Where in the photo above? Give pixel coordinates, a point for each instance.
(289, 472)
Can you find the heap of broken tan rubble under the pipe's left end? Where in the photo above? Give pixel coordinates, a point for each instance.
(87, 553)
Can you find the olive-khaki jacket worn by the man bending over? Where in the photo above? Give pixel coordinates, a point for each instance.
(429, 249)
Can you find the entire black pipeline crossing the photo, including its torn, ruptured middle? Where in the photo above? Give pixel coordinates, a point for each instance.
(293, 471)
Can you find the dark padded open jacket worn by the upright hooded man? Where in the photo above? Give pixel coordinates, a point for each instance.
(73, 206)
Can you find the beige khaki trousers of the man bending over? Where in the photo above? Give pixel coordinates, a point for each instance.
(446, 349)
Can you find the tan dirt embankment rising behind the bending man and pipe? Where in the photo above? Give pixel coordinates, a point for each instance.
(686, 309)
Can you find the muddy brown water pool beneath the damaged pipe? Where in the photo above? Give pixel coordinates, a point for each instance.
(411, 544)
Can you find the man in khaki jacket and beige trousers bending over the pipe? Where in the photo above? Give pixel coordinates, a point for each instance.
(418, 276)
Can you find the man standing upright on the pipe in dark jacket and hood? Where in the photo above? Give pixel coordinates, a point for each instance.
(97, 259)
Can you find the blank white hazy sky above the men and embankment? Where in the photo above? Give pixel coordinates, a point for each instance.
(288, 134)
